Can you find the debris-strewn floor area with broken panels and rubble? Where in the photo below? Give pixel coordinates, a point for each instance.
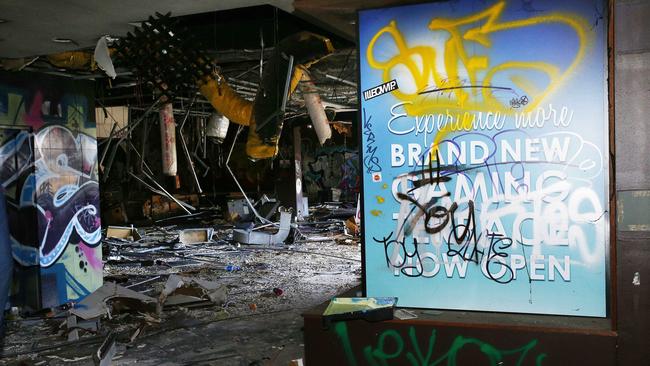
(179, 295)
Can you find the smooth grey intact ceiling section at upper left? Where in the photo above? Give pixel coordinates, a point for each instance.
(33, 27)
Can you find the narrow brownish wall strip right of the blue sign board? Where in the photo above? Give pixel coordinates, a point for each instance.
(632, 133)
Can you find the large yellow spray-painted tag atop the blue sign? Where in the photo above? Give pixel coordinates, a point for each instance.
(465, 80)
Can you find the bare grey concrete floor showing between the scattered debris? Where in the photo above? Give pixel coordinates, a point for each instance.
(255, 326)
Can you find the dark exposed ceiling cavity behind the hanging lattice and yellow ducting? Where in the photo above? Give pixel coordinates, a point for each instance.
(240, 59)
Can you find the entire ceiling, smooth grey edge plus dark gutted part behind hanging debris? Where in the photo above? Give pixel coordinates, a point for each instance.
(239, 34)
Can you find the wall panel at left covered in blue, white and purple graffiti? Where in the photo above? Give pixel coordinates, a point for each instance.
(48, 167)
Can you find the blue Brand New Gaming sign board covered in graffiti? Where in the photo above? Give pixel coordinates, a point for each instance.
(484, 150)
